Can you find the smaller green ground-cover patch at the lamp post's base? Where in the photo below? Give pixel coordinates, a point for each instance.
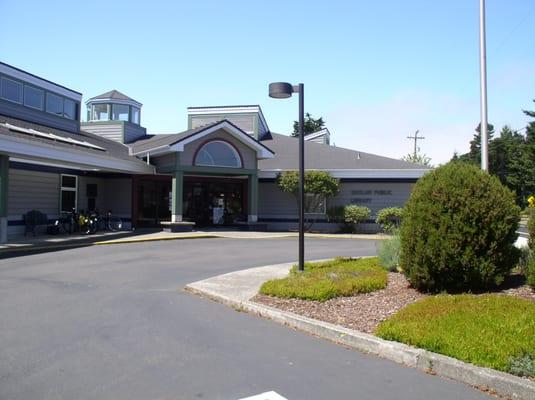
(325, 280)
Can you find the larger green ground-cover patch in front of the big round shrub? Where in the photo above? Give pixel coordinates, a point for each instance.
(492, 331)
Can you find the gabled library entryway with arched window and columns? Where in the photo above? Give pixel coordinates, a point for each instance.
(214, 175)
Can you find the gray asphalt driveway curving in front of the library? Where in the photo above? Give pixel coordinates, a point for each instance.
(112, 322)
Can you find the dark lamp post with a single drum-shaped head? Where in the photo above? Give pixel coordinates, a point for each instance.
(284, 90)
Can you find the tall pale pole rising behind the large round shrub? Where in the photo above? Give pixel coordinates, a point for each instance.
(483, 77)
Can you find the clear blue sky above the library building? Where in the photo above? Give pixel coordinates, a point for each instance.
(376, 71)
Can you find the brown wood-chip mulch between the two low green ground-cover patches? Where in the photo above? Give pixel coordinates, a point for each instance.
(363, 312)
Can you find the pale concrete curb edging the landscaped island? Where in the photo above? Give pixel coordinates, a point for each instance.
(485, 379)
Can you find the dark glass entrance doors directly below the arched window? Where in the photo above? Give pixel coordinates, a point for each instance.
(209, 202)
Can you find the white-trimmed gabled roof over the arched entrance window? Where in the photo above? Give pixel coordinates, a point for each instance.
(159, 144)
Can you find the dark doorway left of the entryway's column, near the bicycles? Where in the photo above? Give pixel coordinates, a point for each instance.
(152, 200)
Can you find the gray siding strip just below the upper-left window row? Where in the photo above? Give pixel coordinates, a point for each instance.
(19, 111)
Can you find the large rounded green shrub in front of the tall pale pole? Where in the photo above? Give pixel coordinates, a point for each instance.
(458, 230)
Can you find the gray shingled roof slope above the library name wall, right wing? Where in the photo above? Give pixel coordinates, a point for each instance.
(339, 161)
